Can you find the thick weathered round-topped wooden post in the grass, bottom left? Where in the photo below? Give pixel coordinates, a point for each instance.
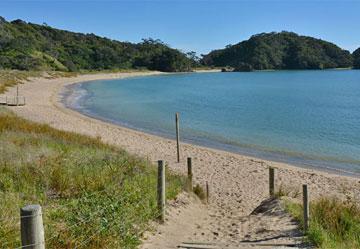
(32, 229)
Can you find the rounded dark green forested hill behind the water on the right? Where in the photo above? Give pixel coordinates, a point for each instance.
(284, 50)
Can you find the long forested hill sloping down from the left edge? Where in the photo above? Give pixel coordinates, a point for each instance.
(28, 46)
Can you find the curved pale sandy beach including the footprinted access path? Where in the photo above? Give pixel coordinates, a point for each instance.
(238, 184)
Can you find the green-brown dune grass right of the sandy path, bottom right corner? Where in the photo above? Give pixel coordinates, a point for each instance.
(333, 223)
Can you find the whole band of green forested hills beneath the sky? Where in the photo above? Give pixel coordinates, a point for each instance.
(27, 46)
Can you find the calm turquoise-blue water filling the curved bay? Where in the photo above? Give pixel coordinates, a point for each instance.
(309, 118)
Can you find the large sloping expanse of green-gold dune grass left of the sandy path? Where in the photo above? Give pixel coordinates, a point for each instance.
(93, 195)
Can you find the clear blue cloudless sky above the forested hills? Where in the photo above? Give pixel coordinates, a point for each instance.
(197, 25)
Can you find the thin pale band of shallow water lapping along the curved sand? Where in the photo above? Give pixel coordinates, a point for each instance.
(70, 99)
